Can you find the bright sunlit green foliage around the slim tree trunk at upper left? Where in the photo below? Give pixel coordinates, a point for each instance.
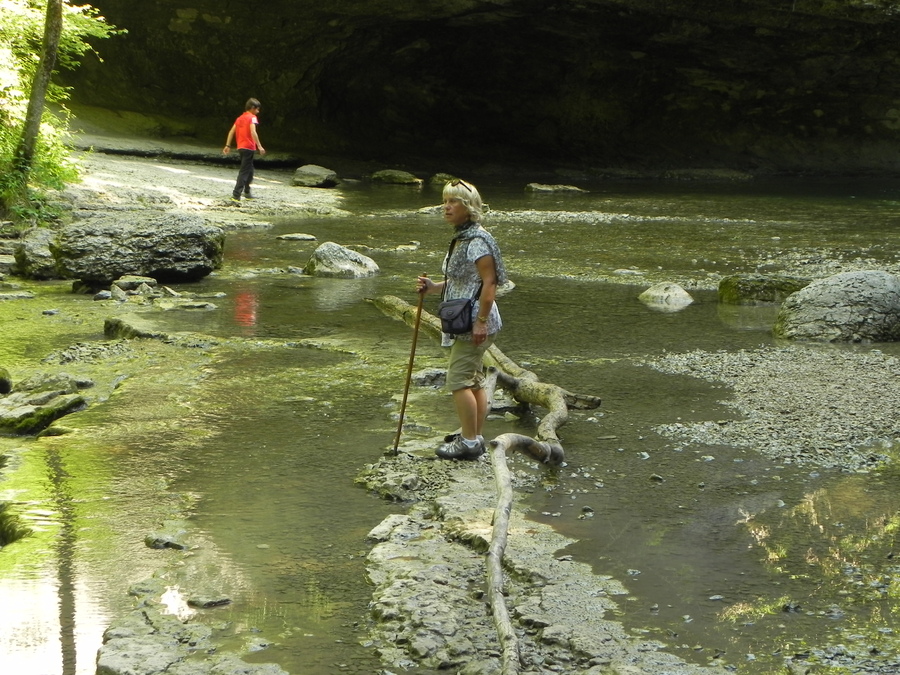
(21, 35)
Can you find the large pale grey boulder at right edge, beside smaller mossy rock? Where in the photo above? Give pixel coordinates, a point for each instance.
(848, 307)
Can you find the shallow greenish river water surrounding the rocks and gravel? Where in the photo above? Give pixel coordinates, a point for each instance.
(722, 550)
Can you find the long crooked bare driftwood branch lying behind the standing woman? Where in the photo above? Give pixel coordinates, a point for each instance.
(524, 387)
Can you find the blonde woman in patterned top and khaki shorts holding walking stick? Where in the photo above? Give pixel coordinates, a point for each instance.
(473, 268)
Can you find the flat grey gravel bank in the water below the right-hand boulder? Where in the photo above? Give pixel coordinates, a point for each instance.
(800, 403)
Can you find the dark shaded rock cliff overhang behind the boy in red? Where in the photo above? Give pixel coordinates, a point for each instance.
(765, 85)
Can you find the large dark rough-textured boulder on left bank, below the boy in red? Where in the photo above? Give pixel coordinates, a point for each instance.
(168, 246)
